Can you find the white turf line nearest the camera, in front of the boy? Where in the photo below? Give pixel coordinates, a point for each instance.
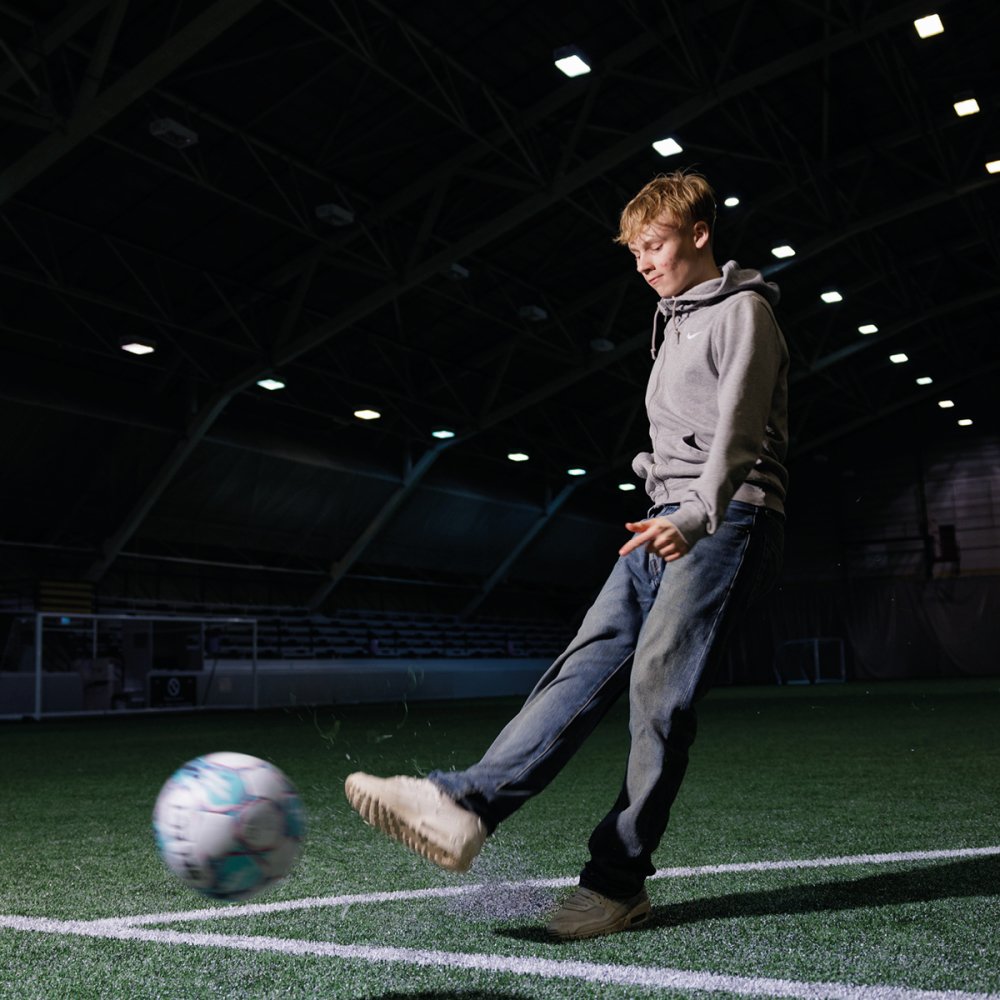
(592, 972)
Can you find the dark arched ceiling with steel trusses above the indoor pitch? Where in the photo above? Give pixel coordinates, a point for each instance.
(406, 207)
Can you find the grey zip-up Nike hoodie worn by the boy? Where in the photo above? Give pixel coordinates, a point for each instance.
(717, 402)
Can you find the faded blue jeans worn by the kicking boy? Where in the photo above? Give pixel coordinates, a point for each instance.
(657, 629)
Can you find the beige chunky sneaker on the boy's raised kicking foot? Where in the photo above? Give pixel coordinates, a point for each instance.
(420, 816)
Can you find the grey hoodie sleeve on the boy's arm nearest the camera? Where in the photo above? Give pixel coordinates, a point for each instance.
(750, 356)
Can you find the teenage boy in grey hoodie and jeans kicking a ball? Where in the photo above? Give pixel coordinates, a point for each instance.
(710, 545)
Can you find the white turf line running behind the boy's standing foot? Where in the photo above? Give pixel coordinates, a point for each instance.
(316, 902)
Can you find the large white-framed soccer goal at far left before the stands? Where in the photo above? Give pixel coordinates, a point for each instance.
(93, 663)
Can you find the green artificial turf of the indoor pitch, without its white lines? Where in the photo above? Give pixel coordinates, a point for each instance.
(776, 774)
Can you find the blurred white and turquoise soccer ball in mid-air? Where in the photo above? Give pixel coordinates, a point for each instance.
(228, 825)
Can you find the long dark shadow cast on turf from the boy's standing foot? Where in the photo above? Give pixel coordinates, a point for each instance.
(974, 877)
